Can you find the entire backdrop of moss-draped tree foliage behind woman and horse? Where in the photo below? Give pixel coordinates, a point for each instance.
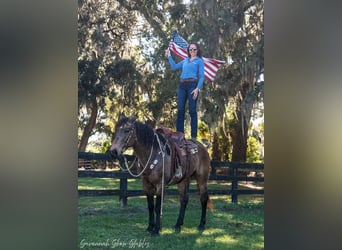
(123, 66)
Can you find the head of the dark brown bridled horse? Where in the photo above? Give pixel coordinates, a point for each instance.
(124, 136)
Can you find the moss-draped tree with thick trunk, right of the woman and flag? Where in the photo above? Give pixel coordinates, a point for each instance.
(232, 29)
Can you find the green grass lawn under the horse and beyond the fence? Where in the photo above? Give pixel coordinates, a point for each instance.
(103, 224)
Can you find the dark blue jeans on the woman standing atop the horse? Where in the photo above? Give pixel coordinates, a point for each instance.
(184, 94)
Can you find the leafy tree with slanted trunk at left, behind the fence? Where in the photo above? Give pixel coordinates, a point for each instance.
(103, 29)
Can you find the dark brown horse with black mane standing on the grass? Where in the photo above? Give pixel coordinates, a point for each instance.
(154, 166)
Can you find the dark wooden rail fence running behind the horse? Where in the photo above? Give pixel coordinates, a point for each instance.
(234, 177)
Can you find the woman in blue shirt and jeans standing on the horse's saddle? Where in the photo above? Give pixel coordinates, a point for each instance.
(191, 80)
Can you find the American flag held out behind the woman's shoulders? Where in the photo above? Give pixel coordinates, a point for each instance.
(179, 46)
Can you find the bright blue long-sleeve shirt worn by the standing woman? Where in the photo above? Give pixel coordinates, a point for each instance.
(193, 69)
